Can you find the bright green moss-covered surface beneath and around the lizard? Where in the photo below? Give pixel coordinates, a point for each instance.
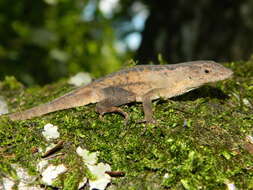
(198, 142)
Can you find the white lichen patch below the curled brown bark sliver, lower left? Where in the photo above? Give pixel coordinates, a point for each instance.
(52, 172)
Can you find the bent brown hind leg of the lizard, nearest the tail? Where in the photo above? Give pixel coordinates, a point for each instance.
(115, 96)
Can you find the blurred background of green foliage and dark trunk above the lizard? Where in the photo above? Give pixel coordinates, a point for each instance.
(44, 40)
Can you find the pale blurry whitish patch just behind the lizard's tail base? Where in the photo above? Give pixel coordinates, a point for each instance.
(80, 79)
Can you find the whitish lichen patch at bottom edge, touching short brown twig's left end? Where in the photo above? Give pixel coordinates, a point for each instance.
(101, 178)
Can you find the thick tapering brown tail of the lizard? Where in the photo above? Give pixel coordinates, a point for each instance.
(73, 99)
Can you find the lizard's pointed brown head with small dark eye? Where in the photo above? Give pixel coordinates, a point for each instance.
(208, 71)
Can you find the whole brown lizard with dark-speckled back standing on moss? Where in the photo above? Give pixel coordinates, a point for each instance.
(142, 83)
